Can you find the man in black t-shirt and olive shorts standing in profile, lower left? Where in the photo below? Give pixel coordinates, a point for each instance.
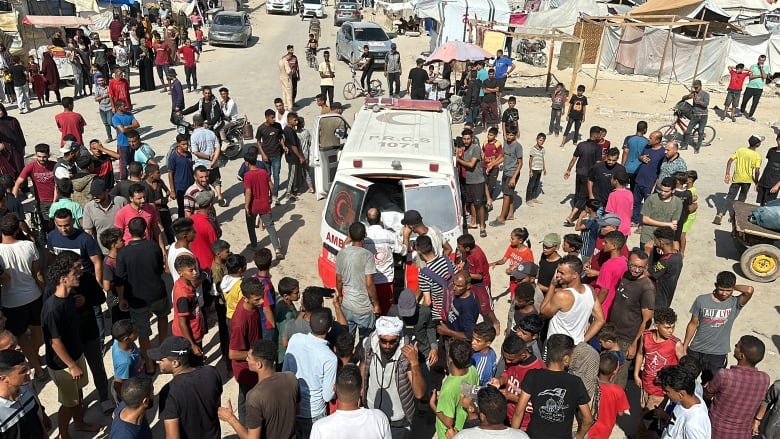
(64, 349)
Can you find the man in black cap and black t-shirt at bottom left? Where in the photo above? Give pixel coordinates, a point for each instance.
(189, 402)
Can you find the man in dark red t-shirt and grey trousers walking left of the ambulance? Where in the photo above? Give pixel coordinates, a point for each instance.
(257, 201)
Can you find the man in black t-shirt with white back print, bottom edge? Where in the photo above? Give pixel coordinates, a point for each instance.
(555, 395)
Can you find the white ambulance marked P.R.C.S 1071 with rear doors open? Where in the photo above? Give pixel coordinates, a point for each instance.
(397, 156)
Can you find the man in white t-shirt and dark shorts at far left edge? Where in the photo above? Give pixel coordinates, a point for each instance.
(22, 294)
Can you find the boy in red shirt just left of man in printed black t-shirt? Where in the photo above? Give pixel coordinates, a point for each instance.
(518, 360)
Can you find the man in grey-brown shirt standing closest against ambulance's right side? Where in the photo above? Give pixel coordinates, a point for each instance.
(469, 158)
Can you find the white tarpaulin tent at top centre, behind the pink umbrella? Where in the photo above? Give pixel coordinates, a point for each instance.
(453, 16)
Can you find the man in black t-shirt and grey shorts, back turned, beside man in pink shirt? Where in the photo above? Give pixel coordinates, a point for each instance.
(140, 288)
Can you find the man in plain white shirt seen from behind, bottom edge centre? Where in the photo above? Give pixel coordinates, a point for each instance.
(351, 421)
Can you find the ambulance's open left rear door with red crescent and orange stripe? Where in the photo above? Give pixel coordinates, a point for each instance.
(344, 207)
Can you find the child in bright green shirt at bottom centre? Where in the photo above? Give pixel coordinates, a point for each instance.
(450, 416)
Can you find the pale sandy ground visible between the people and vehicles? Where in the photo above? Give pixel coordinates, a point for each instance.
(617, 104)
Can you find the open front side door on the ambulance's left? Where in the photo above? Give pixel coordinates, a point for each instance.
(328, 137)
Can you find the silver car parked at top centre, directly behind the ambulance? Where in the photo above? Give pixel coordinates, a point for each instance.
(351, 38)
